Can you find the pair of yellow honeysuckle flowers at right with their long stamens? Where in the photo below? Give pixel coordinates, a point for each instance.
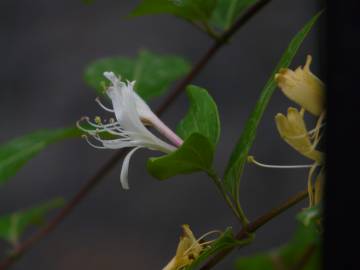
(305, 89)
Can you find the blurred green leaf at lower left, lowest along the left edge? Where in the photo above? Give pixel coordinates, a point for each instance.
(12, 226)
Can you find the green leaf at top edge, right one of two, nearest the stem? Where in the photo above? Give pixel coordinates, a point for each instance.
(227, 11)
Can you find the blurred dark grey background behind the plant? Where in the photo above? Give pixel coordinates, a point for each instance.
(44, 48)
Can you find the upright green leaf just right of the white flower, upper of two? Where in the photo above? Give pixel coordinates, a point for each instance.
(202, 117)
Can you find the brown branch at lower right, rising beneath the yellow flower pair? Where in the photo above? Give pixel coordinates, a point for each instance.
(255, 225)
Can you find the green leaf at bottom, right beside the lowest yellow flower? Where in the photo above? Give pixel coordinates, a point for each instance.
(225, 241)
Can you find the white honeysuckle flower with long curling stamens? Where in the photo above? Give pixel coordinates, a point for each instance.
(131, 113)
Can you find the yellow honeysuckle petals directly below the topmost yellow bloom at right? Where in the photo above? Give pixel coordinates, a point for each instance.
(293, 130)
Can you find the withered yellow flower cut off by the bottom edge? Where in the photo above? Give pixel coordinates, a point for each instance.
(188, 250)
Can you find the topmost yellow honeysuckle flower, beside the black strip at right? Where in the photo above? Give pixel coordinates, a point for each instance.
(303, 87)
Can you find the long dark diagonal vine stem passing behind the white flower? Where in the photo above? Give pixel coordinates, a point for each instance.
(110, 164)
